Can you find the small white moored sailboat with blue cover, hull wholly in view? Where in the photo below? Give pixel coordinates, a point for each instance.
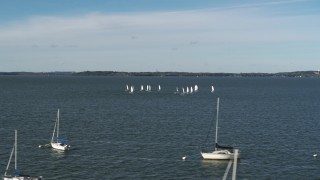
(57, 143)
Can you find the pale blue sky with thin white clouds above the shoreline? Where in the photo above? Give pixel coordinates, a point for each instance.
(231, 36)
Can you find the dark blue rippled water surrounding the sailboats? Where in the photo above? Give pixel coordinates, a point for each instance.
(115, 135)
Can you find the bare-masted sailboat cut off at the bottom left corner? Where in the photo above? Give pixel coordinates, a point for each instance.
(17, 175)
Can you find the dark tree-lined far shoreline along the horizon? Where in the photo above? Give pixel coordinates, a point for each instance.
(117, 73)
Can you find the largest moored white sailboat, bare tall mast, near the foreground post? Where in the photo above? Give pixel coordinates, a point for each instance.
(220, 152)
